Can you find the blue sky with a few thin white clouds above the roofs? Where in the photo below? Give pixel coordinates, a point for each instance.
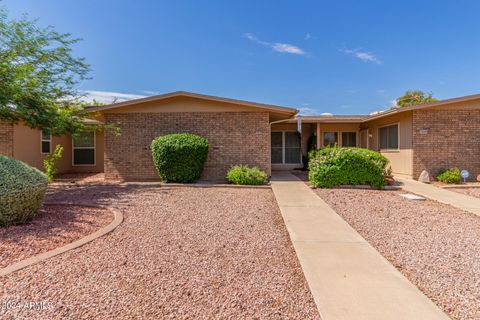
(343, 57)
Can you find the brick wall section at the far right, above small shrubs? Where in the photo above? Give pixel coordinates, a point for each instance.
(453, 140)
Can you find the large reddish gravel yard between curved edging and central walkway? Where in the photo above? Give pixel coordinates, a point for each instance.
(181, 253)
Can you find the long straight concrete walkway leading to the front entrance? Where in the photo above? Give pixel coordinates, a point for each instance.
(348, 278)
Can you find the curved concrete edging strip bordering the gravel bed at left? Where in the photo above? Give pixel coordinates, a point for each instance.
(117, 220)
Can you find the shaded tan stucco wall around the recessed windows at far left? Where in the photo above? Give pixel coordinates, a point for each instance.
(27, 148)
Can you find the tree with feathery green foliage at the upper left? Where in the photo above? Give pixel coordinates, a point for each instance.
(39, 76)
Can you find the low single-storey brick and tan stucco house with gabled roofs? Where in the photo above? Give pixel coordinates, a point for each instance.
(424, 137)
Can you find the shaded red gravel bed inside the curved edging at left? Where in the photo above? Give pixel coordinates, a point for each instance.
(53, 227)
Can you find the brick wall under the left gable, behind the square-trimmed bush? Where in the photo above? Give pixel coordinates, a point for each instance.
(234, 137)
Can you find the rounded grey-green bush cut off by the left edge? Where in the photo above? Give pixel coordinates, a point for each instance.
(21, 191)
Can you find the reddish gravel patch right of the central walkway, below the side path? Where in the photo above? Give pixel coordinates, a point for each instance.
(435, 246)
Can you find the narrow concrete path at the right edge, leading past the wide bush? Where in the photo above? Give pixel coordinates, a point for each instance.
(455, 199)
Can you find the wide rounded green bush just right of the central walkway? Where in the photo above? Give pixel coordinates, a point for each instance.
(334, 166)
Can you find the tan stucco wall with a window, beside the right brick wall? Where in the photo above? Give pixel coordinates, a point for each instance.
(401, 161)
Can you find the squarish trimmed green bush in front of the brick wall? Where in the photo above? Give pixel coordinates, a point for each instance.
(179, 157)
